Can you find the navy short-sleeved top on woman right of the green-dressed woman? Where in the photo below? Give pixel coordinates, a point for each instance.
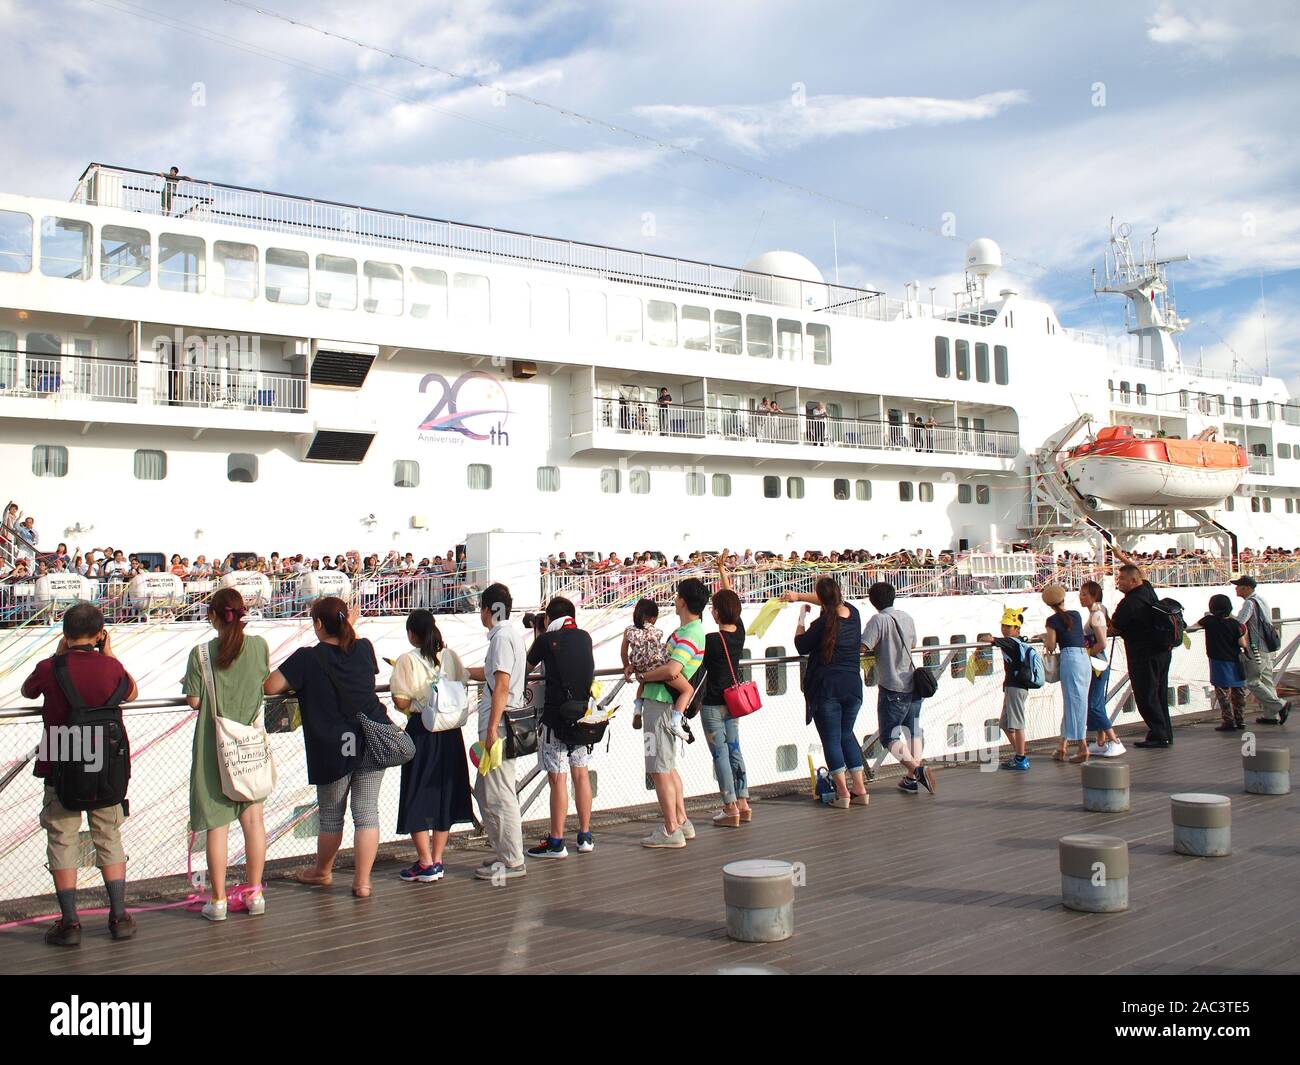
(328, 729)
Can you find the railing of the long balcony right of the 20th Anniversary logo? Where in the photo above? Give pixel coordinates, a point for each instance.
(718, 423)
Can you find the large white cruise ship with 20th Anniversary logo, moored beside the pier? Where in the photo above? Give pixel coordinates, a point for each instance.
(201, 369)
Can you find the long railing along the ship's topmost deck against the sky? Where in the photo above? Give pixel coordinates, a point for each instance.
(205, 201)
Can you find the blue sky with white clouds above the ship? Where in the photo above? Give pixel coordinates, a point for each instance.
(876, 140)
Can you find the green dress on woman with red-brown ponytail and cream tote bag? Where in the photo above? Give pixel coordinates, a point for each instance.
(241, 698)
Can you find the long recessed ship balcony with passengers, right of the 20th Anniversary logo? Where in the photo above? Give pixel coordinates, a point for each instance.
(612, 425)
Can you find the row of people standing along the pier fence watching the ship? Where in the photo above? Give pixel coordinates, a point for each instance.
(687, 676)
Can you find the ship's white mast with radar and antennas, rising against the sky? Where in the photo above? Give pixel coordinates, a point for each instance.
(1145, 280)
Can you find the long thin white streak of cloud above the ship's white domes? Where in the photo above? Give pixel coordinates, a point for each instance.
(788, 124)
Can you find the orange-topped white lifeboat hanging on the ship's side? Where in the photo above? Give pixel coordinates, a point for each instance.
(1120, 470)
